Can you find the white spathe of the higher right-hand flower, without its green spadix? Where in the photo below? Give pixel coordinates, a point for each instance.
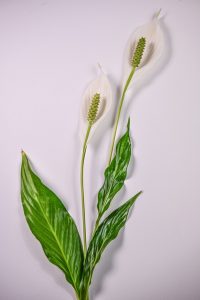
(153, 52)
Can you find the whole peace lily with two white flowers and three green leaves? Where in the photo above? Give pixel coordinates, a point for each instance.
(47, 217)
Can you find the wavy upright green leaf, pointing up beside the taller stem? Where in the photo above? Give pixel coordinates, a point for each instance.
(115, 173)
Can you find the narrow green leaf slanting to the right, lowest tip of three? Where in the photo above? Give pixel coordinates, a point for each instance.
(106, 232)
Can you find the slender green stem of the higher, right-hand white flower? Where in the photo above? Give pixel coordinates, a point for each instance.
(119, 112)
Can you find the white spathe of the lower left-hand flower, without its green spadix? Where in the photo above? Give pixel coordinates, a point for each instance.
(100, 85)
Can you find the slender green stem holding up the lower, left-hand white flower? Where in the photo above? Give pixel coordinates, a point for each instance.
(82, 187)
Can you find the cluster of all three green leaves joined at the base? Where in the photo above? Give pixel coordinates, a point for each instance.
(55, 229)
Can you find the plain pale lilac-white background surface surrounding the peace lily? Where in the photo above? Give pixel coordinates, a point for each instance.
(48, 54)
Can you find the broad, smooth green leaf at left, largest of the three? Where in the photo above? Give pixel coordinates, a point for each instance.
(52, 225)
